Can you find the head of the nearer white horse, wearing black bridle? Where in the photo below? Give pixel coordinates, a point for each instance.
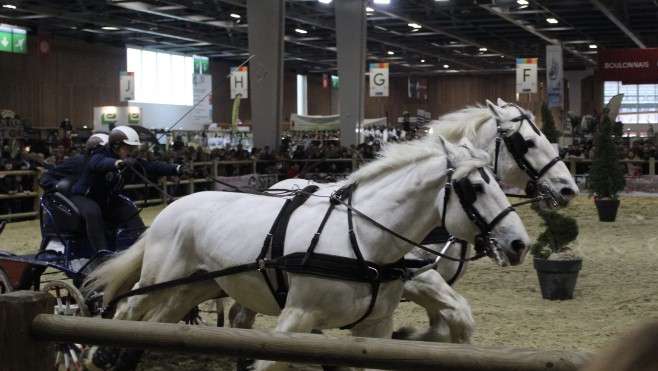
(476, 209)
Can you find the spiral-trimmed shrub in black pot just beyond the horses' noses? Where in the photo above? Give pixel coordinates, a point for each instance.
(556, 263)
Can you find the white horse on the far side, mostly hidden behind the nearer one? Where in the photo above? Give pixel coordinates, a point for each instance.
(523, 158)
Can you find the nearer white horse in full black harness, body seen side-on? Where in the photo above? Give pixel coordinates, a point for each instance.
(405, 190)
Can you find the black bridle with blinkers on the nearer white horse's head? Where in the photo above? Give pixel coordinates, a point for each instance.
(485, 244)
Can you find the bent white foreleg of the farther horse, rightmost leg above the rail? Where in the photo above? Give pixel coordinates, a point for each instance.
(450, 316)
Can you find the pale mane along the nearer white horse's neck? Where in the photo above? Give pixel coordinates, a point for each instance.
(396, 155)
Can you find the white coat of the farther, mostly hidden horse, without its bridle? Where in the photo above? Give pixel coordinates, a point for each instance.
(449, 314)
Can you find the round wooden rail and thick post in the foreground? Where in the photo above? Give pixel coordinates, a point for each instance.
(30, 345)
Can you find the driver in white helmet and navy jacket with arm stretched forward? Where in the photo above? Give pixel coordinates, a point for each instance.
(107, 171)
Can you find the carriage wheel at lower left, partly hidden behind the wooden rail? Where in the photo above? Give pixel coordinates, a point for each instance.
(70, 302)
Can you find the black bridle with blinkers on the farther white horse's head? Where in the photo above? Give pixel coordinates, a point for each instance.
(518, 148)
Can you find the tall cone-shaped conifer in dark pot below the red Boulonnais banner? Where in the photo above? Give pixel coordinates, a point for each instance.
(606, 177)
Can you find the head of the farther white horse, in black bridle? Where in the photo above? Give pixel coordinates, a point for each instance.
(524, 158)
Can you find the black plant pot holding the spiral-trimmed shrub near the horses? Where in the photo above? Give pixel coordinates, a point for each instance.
(557, 278)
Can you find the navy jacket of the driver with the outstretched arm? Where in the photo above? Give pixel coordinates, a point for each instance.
(101, 180)
